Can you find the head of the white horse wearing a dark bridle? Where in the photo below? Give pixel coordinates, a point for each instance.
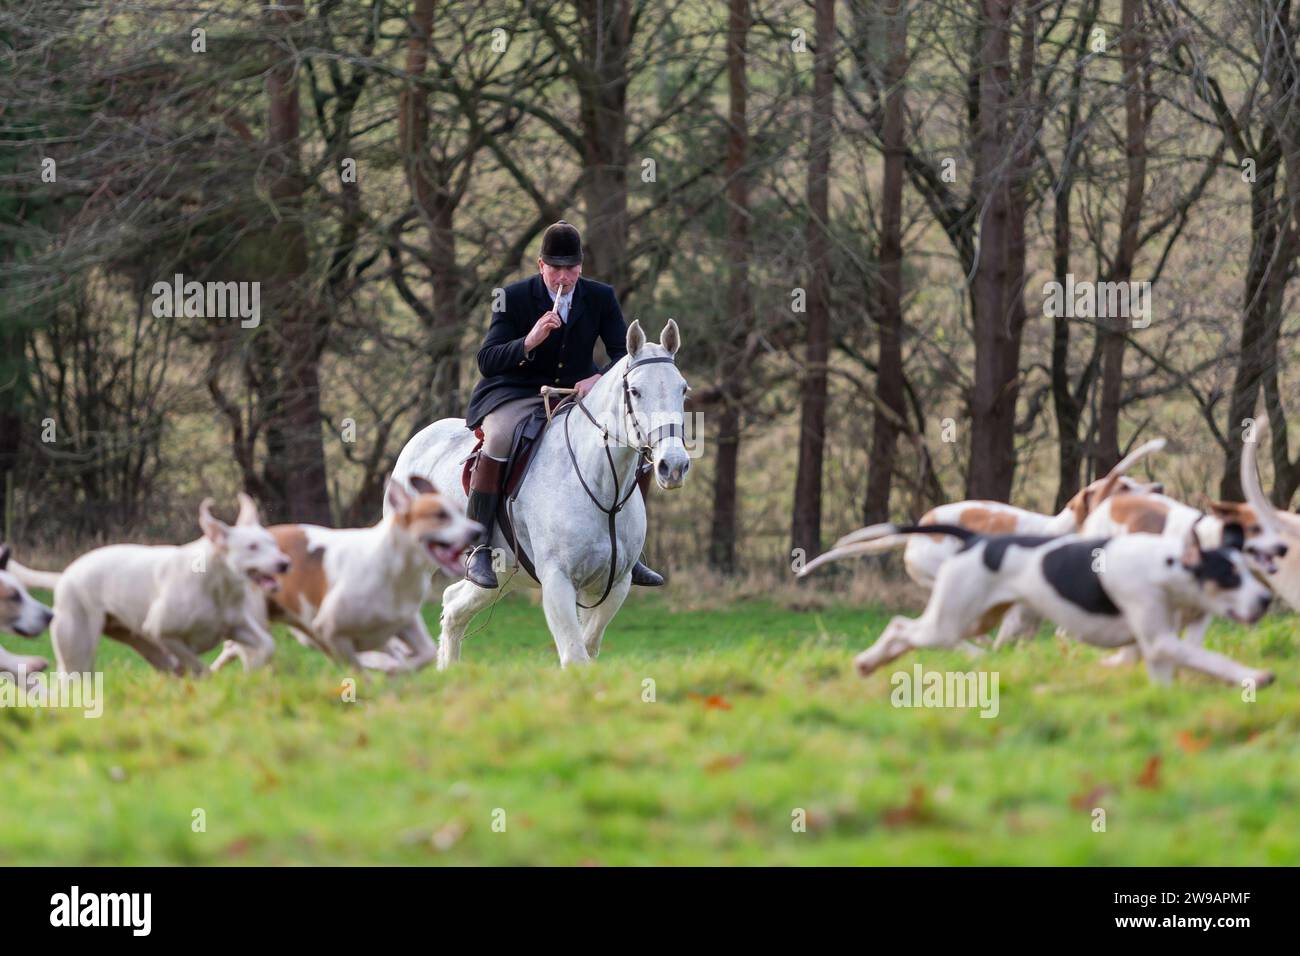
(655, 393)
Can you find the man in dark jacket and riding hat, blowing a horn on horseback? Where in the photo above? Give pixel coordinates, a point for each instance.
(545, 336)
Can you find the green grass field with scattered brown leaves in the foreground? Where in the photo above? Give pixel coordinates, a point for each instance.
(757, 715)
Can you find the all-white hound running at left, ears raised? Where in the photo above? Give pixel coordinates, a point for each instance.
(171, 604)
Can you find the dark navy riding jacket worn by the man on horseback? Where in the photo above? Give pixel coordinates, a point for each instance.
(565, 358)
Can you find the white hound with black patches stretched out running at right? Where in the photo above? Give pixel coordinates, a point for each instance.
(1106, 592)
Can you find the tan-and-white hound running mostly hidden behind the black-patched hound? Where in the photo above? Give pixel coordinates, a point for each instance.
(925, 555)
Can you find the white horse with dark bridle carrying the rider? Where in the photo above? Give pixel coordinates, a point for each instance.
(561, 516)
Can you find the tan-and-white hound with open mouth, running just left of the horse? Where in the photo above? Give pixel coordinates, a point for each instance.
(356, 594)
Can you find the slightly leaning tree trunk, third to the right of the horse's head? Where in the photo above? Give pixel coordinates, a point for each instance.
(890, 378)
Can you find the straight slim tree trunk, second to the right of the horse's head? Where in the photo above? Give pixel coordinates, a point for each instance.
(807, 527)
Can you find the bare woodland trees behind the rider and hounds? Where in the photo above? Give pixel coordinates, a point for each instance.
(911, 174)
